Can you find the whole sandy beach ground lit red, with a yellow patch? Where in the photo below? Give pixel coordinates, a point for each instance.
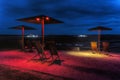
(75, 65)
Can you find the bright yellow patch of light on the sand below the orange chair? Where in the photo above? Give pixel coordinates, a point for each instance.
(86, 54)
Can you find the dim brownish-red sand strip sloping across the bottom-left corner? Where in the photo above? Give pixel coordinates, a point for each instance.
(12, 73)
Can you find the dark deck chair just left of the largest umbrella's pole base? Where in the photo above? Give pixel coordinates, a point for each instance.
(40, 51)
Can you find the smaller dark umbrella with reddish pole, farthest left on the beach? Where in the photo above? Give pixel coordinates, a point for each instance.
(22, 27)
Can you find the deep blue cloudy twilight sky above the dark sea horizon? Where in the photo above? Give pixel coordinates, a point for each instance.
(78, 15)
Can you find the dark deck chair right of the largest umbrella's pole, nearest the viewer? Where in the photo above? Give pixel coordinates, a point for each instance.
(54, 53)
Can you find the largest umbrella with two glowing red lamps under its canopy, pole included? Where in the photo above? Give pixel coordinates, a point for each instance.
(41, 19)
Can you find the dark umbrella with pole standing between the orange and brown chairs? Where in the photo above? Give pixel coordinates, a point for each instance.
(99, 29)
